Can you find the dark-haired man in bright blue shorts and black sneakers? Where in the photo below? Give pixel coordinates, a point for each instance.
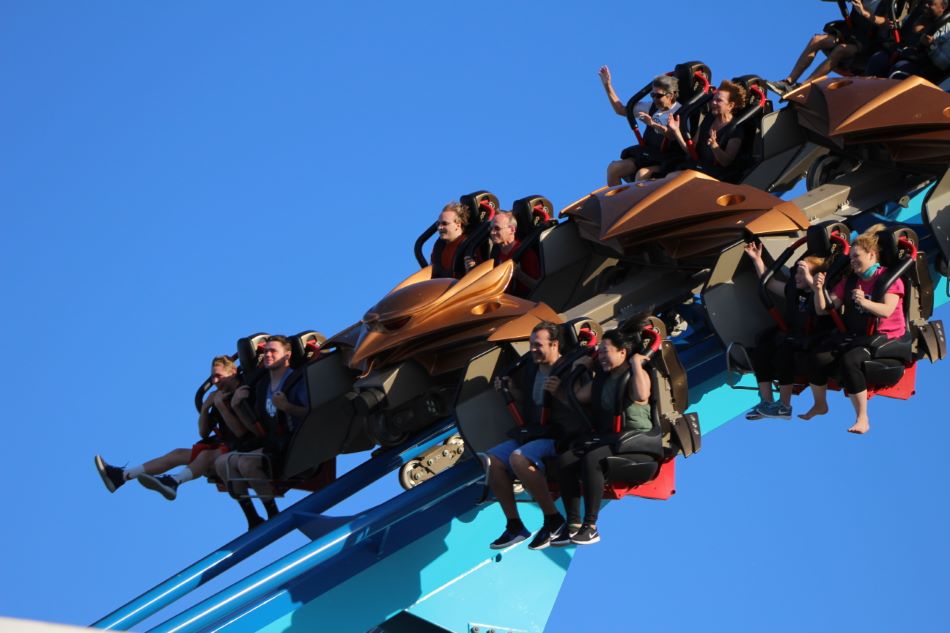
(524, 458)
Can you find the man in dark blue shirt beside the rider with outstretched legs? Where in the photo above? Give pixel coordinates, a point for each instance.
(278, 414)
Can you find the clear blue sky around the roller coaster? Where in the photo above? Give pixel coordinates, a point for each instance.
(175, 176)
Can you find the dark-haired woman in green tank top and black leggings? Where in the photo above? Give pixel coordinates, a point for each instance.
(616, 354)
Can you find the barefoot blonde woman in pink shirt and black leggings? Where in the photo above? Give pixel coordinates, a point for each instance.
(848, 355)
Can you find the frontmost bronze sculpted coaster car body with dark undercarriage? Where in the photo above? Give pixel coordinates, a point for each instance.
(411, 347)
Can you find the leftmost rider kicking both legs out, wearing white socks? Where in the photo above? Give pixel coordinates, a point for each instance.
(200, 457)
